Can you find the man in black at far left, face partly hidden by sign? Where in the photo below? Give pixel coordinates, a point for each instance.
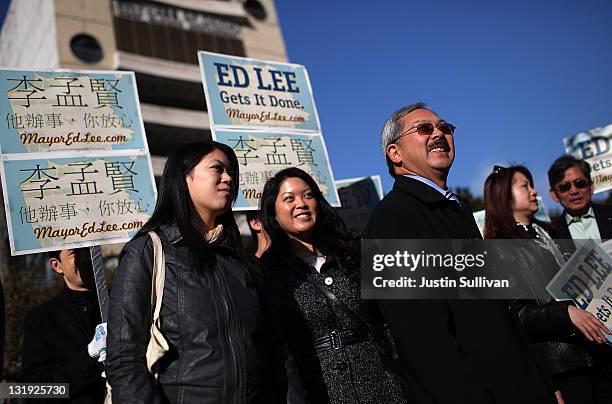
(56, 333)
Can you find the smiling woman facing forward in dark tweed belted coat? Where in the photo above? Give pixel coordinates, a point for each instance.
(330, 331)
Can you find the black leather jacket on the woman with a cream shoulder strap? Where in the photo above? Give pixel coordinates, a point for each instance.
(224, 346)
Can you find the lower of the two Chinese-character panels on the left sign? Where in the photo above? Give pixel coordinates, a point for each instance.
(73, 202)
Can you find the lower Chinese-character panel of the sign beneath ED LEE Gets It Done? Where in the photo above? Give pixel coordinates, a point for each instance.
(263, 154)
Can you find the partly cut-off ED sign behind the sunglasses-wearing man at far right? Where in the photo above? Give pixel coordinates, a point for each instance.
(594, 147)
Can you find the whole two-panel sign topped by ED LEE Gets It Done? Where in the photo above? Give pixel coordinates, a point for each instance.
(265, 111)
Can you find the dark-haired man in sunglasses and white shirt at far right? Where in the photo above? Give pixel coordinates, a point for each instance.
(571, 186)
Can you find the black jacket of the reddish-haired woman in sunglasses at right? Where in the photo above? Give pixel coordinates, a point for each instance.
(546, 321)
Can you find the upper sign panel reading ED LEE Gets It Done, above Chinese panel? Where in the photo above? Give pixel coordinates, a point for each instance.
(248, 93)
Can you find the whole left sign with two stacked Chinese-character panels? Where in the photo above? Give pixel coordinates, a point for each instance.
(75, 165)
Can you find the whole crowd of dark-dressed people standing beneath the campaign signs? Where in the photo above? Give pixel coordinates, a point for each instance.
(286, 323)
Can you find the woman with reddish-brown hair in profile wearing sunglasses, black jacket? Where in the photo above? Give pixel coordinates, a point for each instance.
(555, 327)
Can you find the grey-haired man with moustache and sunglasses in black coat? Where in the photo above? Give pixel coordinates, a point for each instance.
(453, 351)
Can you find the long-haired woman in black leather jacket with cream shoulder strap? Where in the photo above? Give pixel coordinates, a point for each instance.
(223, 346)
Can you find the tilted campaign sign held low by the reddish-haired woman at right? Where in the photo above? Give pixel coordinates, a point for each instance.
(585, 280)
